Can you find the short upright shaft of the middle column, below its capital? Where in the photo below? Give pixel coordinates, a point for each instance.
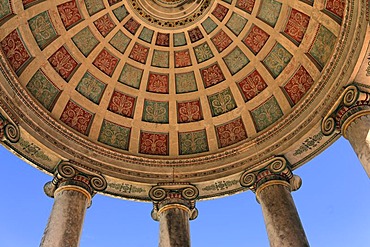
(174, 227)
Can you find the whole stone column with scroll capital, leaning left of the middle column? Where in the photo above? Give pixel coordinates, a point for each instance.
(72, 189)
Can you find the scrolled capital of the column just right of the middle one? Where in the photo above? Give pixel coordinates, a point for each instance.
(277, 171)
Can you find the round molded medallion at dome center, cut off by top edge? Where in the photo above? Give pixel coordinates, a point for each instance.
(170, 13)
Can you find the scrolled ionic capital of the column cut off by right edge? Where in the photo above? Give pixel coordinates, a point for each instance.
(353, 103)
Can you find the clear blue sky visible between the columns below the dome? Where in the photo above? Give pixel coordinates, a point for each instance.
(333, 204)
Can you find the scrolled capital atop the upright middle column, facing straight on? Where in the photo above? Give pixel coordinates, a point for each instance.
(174, 195)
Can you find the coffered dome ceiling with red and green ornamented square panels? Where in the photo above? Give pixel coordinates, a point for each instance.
(153, 85)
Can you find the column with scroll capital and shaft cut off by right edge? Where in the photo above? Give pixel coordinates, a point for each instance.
(351, 117)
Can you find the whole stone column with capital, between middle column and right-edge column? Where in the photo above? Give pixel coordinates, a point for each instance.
(273, 185)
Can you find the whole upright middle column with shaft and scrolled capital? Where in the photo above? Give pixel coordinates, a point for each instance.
(173, 207)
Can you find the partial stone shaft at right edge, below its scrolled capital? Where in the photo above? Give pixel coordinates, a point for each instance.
(358, 134)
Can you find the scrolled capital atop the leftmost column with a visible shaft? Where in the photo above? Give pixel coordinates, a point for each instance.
(68, 176)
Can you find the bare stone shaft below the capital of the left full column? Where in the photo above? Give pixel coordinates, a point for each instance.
(65, 222)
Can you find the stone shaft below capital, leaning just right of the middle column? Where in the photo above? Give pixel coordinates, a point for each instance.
(283, 225)
